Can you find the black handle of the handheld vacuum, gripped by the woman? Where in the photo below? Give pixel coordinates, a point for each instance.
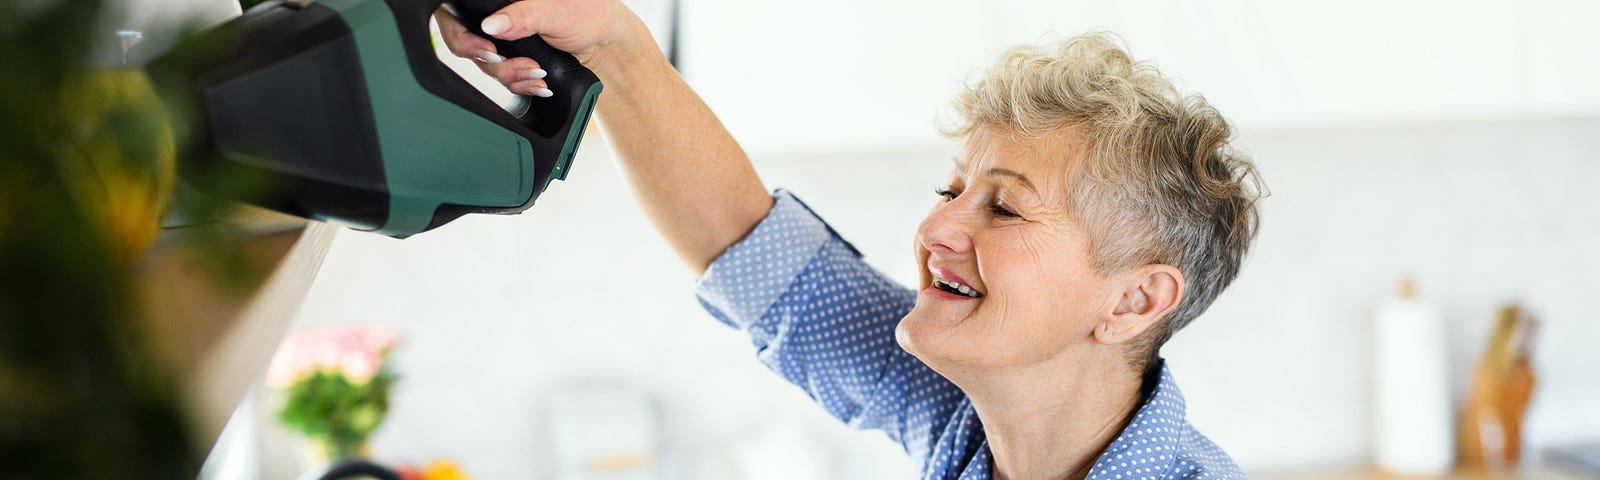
(567, 78)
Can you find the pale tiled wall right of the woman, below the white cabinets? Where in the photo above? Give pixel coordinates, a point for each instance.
(1481, 214)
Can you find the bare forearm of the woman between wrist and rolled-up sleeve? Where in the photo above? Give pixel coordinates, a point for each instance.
(689, 175)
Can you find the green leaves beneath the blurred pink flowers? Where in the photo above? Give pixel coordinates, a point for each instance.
(332, 409)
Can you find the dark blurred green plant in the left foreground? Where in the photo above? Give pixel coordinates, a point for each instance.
(87, 174)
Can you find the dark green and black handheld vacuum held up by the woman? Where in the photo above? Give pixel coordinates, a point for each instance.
(342, 111)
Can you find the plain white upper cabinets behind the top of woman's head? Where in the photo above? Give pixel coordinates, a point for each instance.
(831, 74)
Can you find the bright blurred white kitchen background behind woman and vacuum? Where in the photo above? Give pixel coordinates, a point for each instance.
(1450, 143)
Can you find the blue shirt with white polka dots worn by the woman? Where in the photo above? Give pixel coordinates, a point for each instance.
(825, 321)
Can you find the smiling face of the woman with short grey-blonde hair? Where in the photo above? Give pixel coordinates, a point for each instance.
(1002, 231)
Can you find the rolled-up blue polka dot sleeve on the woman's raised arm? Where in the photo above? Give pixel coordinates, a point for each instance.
(825, 321)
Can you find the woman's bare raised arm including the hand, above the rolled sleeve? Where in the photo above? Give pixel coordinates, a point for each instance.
(689, 175)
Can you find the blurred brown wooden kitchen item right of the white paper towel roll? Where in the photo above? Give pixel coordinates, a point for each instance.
(1490, 434)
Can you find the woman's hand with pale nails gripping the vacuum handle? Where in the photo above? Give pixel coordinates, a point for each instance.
(593, 31)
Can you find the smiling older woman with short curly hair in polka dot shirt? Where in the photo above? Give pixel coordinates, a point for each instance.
(1092, 214)
